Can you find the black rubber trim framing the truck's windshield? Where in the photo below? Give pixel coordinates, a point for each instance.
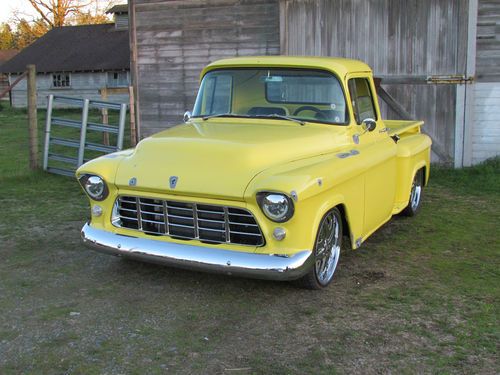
(347, 121)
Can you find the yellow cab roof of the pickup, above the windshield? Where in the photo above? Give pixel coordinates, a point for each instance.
(338, 65)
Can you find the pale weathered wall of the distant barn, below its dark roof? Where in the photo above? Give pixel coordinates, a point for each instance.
(83, 85)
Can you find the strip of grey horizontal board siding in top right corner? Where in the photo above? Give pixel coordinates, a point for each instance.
(488, 41)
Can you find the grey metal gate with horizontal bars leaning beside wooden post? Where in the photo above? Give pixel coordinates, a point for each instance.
(81, 144)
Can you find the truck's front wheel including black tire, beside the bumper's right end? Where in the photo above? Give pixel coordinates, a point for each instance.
(326, 252)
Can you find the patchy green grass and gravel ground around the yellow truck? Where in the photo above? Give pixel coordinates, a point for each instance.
(420, 296)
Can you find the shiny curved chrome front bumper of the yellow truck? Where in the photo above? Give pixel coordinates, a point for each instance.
(200, 258)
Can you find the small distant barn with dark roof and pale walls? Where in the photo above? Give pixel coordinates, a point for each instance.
(76, 61)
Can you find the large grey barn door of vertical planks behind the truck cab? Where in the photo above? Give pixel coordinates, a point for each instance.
(395, 37)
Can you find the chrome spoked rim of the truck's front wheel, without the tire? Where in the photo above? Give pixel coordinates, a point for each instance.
(327, 249)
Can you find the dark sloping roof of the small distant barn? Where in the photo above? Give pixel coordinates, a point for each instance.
(75, 49)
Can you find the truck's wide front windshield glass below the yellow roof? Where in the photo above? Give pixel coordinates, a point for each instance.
(301, 94)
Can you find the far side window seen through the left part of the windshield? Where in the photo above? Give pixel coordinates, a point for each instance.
(218, 94)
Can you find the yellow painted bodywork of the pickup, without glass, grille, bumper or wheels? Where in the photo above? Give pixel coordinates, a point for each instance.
(227, 161)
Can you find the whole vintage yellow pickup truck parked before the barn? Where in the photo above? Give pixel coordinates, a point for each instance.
(283, 162)
